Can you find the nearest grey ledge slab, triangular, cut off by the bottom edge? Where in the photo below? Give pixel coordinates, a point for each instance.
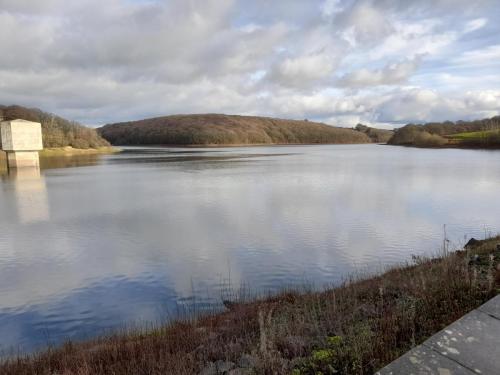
(424, 361)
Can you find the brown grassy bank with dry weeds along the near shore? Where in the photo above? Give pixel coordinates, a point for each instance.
(356, 328)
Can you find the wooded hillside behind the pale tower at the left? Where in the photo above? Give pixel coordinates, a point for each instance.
(56, 131)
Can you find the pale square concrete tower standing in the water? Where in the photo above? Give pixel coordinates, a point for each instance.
(21, 140)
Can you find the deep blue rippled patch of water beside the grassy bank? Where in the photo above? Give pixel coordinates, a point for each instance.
(86, 311)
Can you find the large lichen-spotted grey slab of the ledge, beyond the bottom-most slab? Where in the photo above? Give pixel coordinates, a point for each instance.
(472, 341)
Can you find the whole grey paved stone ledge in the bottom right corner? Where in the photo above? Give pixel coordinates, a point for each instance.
(469, 346)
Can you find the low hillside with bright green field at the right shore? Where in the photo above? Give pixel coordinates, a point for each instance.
(480, 133)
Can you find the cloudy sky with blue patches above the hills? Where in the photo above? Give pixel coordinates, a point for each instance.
(383, 63)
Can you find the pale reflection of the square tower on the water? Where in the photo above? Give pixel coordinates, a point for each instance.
(31, 195)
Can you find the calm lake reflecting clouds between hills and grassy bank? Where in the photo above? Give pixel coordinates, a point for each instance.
(96, 243)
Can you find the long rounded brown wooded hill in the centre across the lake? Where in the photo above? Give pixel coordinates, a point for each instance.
(214, 129)
